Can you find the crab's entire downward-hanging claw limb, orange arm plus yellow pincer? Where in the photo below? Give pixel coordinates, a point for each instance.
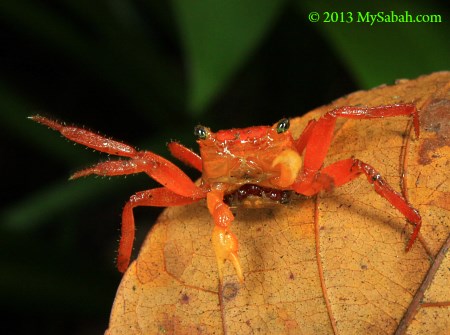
(225, 243)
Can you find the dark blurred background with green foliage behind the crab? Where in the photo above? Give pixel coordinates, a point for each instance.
(146, 72)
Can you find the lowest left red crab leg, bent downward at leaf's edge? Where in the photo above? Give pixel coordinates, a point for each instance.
(157, 197)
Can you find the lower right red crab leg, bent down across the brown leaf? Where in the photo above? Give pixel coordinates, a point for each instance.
(346, 170)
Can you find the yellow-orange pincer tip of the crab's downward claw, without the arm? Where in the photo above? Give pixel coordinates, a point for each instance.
(225, 245)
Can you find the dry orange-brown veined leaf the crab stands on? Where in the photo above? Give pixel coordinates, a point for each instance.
(328, 264)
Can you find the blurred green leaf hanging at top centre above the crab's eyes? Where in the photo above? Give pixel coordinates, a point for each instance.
(218, 37)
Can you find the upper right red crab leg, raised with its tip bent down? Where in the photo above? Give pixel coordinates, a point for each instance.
(318, 140)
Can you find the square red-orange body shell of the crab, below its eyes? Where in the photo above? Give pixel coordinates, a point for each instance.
(262, 155)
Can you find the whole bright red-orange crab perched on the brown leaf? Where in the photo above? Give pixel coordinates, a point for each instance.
(238, 166)
